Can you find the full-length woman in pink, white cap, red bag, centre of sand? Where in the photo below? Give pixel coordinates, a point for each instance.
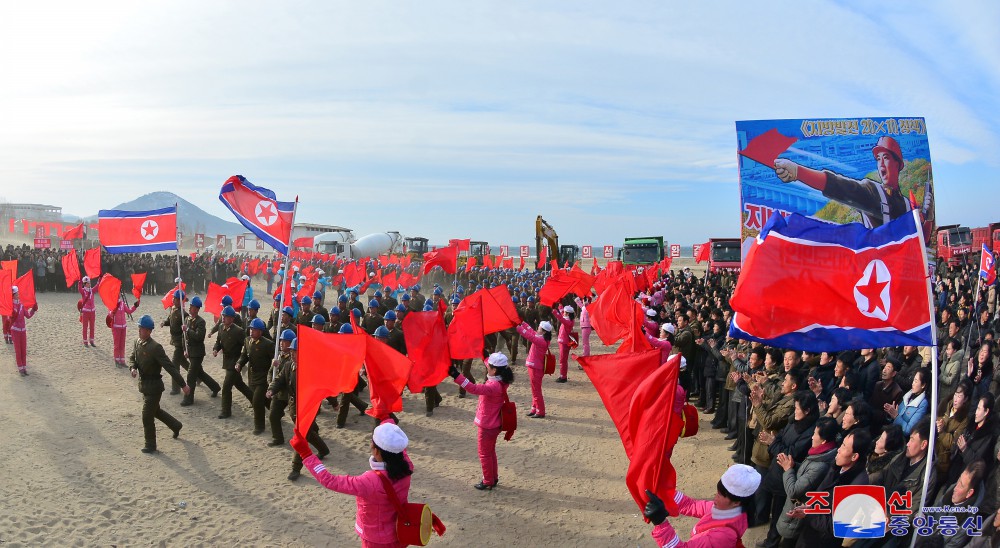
(491, 394)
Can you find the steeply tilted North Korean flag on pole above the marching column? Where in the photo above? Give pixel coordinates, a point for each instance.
(258, 209)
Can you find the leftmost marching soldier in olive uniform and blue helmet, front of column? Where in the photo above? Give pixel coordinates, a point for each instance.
(146, 362)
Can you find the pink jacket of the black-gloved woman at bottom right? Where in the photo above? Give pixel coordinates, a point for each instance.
(709, 532)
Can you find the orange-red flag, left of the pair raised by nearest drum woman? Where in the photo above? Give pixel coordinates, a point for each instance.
(328, 365)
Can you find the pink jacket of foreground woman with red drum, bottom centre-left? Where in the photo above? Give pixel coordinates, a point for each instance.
(376, 518)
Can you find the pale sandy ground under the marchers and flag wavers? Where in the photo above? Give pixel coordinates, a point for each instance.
(73, 473)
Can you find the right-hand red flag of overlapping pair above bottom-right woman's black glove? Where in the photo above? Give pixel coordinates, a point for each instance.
(654, 427)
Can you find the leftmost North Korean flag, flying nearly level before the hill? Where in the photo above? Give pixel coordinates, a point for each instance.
(138, 231)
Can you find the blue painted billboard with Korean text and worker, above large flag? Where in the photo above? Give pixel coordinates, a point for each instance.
(841, 170)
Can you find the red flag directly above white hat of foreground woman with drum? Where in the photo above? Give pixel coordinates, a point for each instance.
(388, 371)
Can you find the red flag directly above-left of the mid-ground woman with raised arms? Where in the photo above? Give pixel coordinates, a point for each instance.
(427, 345)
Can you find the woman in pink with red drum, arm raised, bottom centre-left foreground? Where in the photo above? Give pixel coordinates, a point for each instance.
(375, 520)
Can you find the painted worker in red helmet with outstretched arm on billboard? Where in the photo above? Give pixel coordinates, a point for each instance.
(877, 203)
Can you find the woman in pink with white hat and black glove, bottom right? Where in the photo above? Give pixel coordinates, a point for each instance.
(722, 521)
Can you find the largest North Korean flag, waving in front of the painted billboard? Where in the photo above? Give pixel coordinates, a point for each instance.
(811, 285)
